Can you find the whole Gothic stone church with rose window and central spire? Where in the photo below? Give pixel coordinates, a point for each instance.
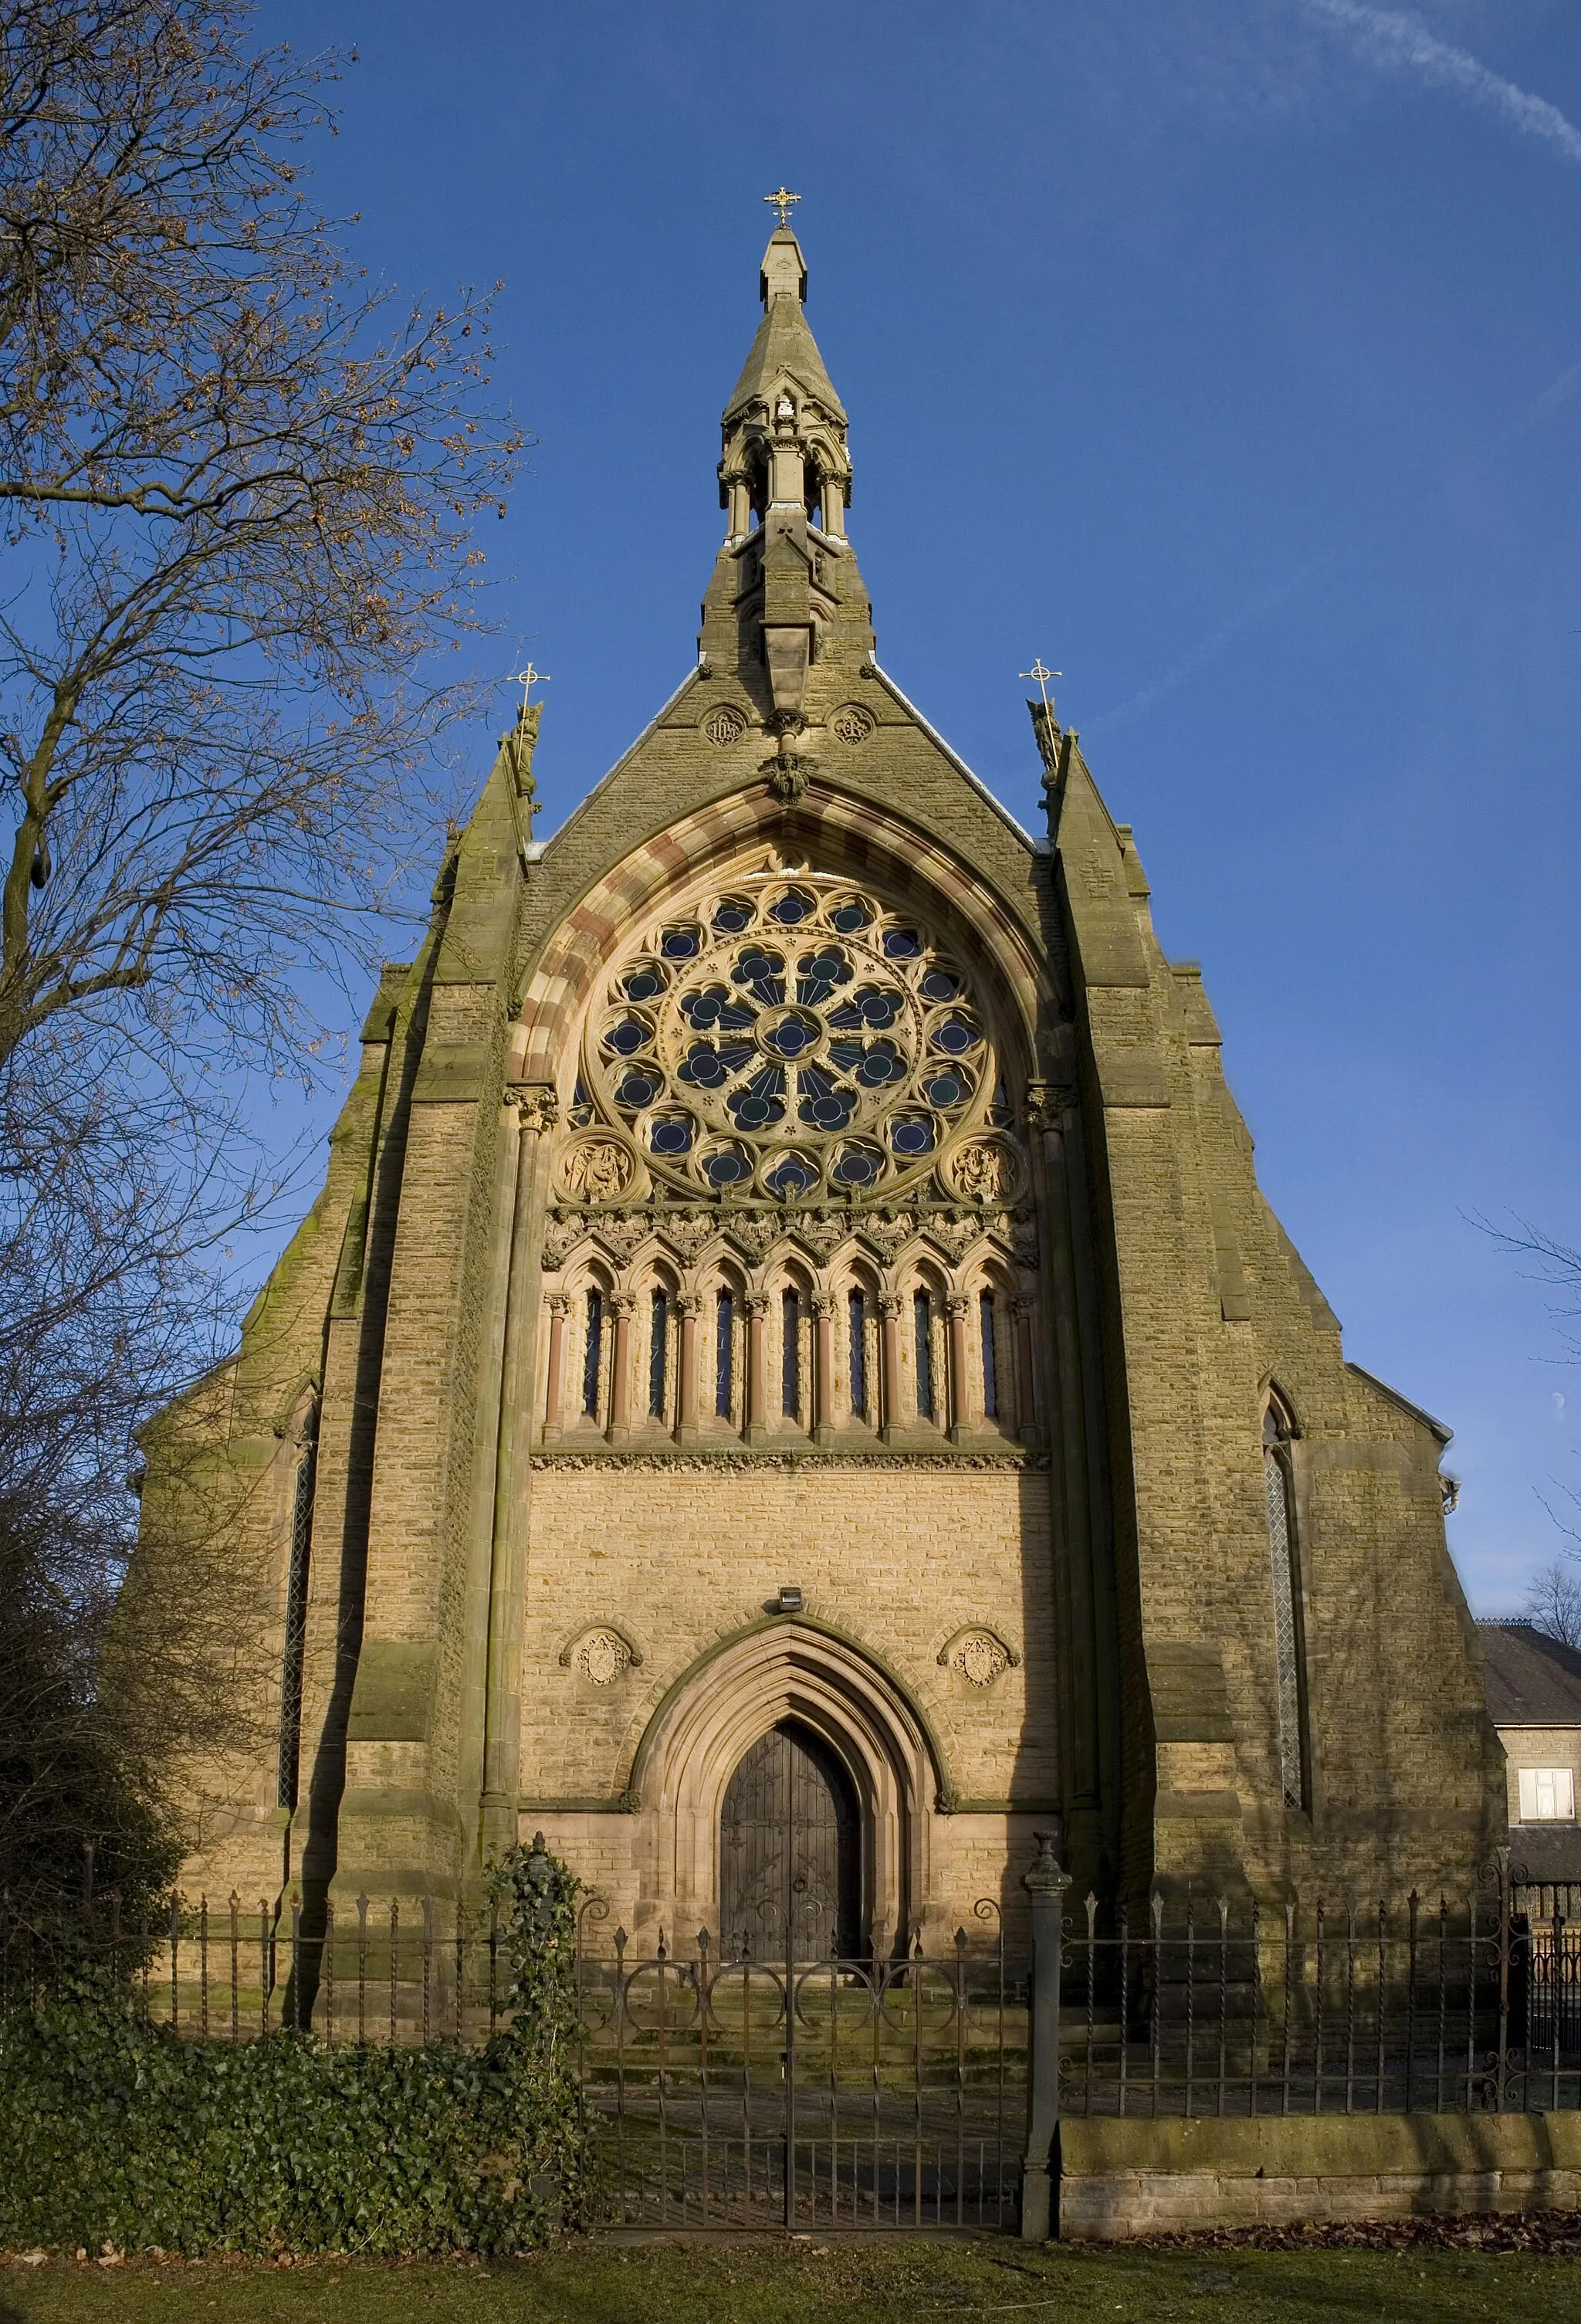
(792, 1384)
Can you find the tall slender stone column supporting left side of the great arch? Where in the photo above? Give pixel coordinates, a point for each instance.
(536, 1112)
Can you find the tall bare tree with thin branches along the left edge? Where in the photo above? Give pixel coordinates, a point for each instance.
(238, 489)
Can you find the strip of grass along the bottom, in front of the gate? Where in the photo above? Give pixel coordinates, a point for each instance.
(773, 2283)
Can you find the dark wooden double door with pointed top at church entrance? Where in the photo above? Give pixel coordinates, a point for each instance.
(792, 1851)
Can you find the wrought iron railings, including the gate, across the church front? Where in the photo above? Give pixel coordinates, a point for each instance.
(1164, 2009)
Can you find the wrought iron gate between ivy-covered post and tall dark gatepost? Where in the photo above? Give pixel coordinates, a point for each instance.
(741, 2093)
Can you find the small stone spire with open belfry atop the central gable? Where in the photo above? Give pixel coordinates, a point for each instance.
(787, 466)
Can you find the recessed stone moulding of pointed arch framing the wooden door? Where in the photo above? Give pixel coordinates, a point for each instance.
(785, 1670)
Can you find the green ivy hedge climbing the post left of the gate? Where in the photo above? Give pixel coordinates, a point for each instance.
(120, 2132)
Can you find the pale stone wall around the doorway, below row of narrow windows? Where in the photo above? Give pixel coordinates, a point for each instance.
(682, 1561)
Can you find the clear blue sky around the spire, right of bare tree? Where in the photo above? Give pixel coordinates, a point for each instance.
(1224, 352)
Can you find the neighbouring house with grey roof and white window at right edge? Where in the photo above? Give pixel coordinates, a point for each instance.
(1536, 1707)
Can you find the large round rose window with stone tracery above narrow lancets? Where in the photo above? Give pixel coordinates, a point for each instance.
(796, 1040)
